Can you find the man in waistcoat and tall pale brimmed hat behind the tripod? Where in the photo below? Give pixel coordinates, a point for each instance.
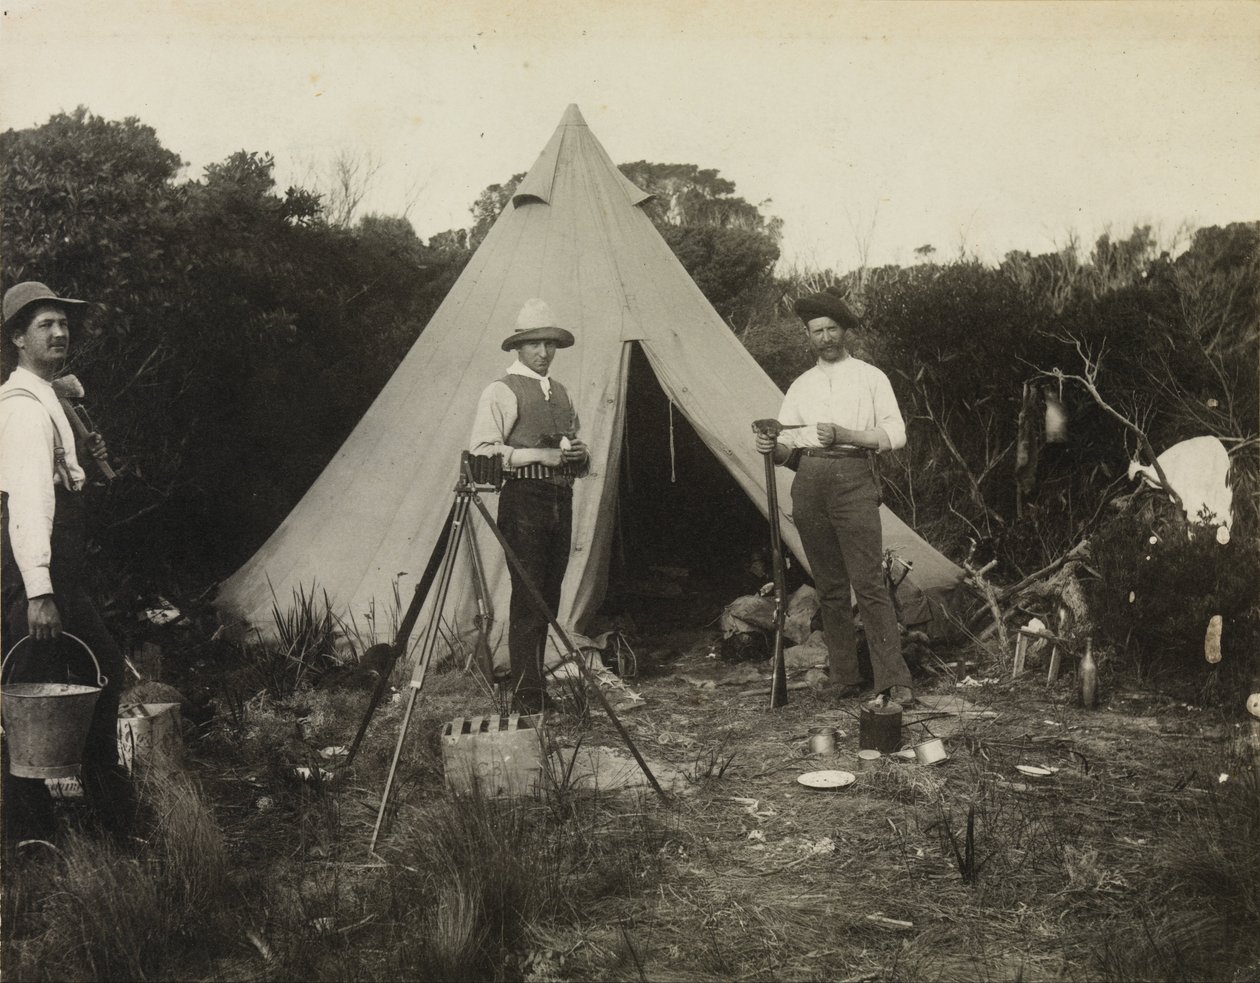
(529, 418)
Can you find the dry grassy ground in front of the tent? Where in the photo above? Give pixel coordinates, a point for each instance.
(1136, 860)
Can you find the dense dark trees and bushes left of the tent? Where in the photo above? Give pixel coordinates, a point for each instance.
(236, 335)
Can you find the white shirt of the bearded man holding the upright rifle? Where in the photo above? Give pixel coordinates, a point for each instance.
(850, 393)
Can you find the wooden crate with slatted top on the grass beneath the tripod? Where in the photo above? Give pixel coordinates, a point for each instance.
(496, 756)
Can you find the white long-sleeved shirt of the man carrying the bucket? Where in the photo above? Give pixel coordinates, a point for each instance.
(28, 477)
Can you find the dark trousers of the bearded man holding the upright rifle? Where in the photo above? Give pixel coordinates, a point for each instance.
(836, 507)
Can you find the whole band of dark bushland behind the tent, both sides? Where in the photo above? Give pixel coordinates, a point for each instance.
(240, 332)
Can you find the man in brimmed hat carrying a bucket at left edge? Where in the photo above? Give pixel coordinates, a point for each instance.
(43, 554)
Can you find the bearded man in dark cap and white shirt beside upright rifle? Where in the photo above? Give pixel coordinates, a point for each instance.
(851, 415)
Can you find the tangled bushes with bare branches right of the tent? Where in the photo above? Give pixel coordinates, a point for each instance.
(977, 356)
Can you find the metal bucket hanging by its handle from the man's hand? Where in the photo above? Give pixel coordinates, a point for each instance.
(46, 725)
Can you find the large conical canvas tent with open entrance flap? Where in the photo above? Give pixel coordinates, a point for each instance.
(576, 236)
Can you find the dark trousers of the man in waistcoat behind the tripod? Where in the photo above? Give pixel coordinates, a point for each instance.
(537, 521)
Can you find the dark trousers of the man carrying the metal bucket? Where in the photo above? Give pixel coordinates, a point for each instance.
(27, 805)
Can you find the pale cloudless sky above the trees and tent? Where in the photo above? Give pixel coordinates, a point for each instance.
(870, 128)
